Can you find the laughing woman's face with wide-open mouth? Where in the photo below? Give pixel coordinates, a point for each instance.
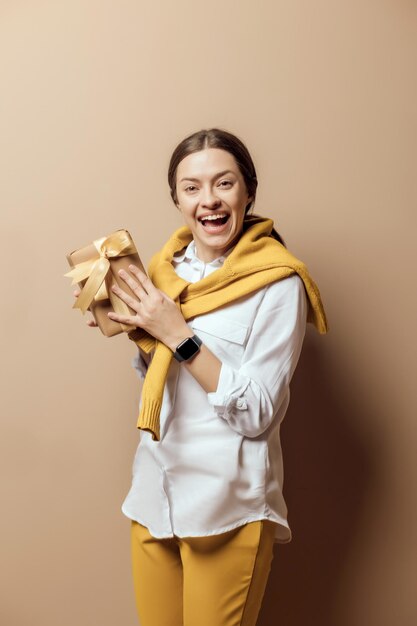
(212, 196)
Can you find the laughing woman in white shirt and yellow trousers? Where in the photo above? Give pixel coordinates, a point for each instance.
(220, 325)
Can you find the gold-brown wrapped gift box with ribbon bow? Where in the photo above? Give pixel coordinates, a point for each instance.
(95, 269)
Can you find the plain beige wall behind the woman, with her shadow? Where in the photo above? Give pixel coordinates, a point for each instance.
(94, 97)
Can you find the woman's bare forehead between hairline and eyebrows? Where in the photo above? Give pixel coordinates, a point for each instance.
(206, 163)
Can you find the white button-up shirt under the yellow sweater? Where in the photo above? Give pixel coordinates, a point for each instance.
(218, 464)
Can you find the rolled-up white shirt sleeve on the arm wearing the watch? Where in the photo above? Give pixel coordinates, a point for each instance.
(248, 398)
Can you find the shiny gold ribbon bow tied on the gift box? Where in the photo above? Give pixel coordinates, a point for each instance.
(96, 271)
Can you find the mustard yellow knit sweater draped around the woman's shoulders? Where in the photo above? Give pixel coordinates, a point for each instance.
(257, 260)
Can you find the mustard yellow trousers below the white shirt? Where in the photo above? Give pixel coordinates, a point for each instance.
(202, 581)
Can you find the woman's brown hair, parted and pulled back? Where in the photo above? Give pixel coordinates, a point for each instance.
(217, 138)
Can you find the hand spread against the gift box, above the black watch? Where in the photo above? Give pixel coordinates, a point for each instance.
(156, 312)
